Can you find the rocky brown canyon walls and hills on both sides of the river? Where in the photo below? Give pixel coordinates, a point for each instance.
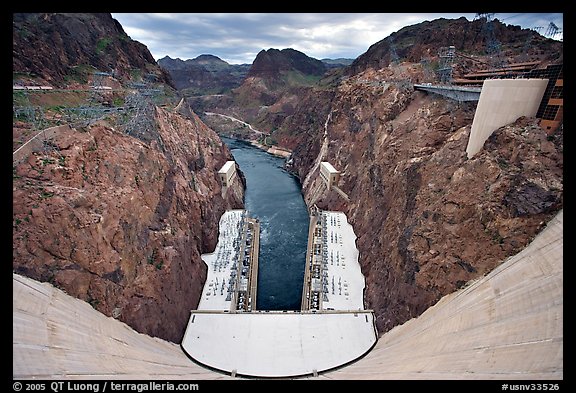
(120, 222)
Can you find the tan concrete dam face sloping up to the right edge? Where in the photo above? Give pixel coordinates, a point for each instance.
(506, 325)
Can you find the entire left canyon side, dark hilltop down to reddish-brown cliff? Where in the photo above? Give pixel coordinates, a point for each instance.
(115, 211)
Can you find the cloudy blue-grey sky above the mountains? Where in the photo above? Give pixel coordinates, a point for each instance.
(237, 38)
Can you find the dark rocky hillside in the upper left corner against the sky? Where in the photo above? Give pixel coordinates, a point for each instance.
(56, 46)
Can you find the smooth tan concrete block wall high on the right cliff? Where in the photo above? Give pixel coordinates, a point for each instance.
(502, 101)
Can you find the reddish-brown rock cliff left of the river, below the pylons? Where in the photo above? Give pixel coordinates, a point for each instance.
(121, 223)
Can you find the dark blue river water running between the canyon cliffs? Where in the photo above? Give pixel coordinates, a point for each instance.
(273, 195)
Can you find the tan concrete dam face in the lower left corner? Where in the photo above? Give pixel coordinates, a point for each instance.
(58, 336)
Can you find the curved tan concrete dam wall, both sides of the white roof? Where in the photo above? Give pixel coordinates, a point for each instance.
(506, 325)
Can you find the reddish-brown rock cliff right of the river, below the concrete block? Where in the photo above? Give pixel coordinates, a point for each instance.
(428, 219)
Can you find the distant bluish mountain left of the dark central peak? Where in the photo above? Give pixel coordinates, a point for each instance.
(205, 74)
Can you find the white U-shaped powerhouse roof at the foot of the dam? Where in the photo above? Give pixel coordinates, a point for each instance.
(227, 335)
